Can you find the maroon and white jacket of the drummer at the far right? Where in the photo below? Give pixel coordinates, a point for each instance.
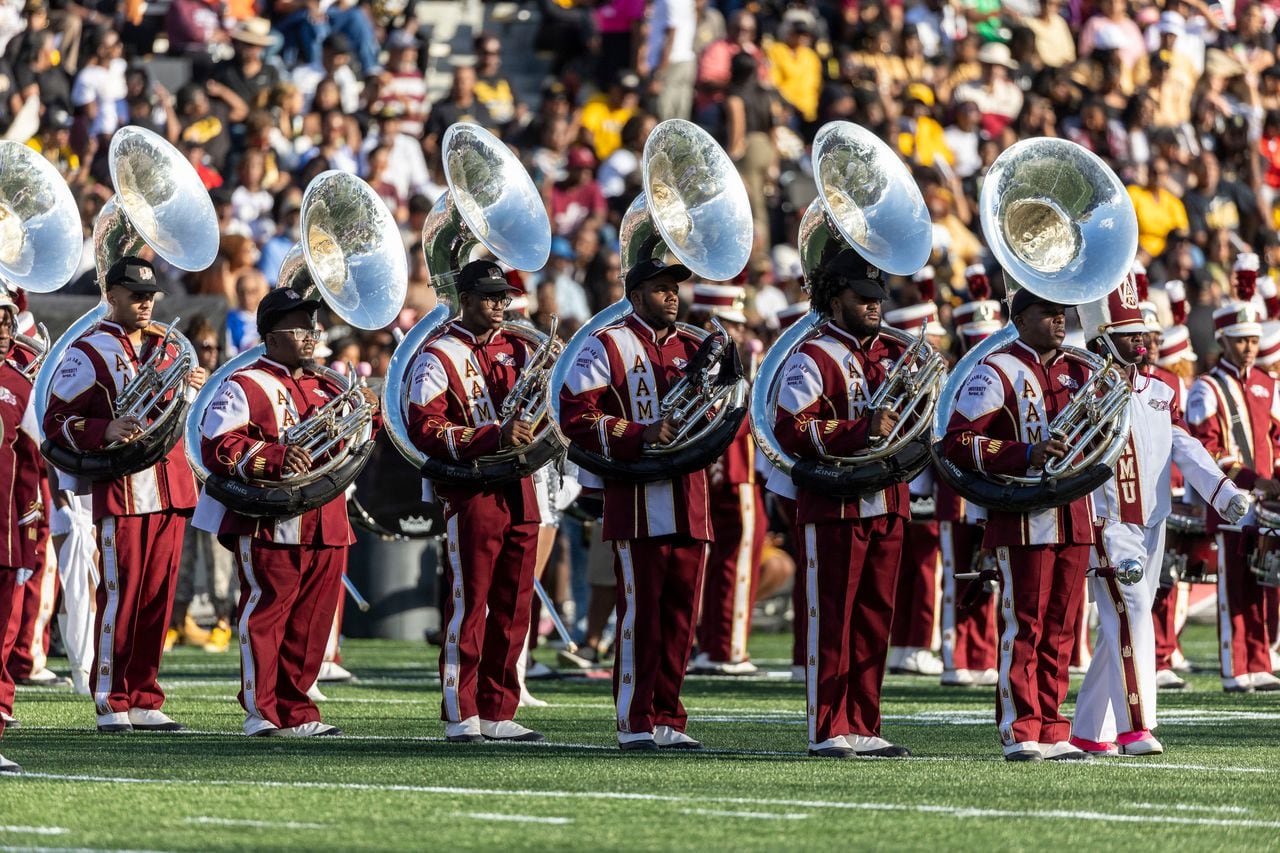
(1249, 453)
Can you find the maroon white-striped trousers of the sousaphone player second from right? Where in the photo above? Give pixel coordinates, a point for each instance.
(851, 581)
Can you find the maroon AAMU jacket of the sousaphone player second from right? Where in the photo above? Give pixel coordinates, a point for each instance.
(822, 410)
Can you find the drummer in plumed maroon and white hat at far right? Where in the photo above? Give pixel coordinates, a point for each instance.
(1235, 410)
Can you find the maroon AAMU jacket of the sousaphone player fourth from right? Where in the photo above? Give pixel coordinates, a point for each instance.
(456, 393)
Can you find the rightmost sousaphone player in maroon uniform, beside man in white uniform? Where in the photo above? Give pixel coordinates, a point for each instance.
(999, 426)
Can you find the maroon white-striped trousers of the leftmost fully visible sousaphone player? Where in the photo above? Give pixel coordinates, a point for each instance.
(139, 558)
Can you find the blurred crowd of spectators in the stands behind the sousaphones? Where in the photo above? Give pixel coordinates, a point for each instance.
(1182, 98)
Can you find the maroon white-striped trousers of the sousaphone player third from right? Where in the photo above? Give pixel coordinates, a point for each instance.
(659, 595)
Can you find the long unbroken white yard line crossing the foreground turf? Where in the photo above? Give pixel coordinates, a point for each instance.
(944, 810)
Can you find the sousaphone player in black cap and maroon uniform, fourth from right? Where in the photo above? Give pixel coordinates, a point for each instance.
(459, 384)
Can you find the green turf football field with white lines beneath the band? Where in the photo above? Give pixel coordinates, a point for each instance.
(394, 784)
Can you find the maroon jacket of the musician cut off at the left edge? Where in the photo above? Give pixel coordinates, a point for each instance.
(20, 472)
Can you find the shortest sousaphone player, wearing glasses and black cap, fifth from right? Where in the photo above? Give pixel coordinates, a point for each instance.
(290, 569)
